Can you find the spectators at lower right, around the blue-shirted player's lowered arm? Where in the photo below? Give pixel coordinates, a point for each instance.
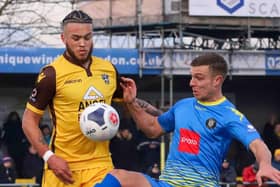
(271, 136)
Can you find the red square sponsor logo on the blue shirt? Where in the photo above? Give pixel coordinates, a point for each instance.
(189, 141)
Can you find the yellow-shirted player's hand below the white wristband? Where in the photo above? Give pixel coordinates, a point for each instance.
(61, 169)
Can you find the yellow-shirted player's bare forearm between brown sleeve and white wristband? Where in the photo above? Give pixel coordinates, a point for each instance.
(30, 125)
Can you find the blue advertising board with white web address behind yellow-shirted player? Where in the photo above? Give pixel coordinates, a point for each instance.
(31, 60)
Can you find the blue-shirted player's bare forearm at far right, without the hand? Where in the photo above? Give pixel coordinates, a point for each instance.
(261, 152)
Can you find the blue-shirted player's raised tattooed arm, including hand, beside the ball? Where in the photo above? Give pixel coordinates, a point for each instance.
(144, 114)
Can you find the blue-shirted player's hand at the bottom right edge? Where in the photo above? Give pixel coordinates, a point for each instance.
(268, 172)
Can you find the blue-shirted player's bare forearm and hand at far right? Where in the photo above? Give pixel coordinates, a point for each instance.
(263, 157)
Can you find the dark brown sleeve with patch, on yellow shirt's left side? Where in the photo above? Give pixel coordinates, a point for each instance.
(44, 90)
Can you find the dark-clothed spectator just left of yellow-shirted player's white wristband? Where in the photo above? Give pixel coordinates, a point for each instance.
(33, 165)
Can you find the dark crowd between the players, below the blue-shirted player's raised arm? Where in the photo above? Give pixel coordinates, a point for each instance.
(132, 150)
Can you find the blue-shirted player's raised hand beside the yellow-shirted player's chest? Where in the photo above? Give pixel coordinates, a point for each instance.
(129, 89)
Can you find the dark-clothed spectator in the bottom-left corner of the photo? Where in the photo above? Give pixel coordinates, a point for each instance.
(7, 171)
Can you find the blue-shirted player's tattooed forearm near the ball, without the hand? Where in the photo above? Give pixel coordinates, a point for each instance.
(145, 116)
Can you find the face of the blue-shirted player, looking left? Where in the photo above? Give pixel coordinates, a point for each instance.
(203, 83)
